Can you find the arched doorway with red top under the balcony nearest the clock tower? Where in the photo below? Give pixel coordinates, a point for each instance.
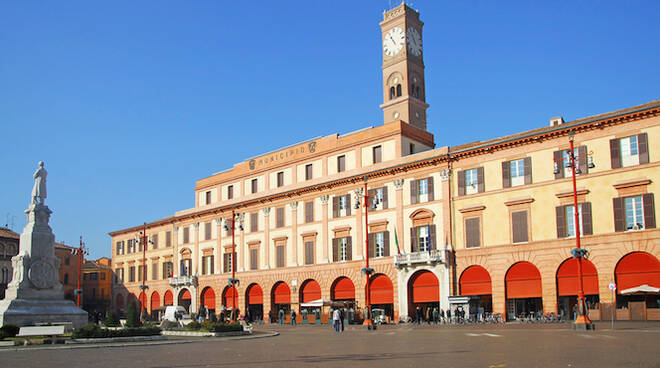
(423, 294)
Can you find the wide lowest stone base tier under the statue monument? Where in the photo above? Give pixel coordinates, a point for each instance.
(28, 312)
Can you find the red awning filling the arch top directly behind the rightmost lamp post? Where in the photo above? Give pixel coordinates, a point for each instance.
(567, 280)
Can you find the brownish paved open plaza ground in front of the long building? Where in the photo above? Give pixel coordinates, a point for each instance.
(630, 345)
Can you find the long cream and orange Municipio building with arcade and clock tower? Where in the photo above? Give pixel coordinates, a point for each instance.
(490, 220)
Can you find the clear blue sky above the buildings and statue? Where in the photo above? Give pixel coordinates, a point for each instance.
(129, 103)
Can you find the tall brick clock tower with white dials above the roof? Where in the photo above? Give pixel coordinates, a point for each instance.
(404, 95)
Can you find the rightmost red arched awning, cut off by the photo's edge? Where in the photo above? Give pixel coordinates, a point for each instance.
(636, 269)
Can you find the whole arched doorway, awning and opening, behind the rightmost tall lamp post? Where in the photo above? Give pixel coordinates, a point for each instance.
(568, 285)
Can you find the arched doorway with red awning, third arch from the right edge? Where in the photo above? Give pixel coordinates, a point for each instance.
(523, 290)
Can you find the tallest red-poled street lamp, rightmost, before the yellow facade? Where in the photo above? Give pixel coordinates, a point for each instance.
(582, 322)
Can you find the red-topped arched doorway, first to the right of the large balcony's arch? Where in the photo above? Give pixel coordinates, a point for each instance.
(475, 282)
